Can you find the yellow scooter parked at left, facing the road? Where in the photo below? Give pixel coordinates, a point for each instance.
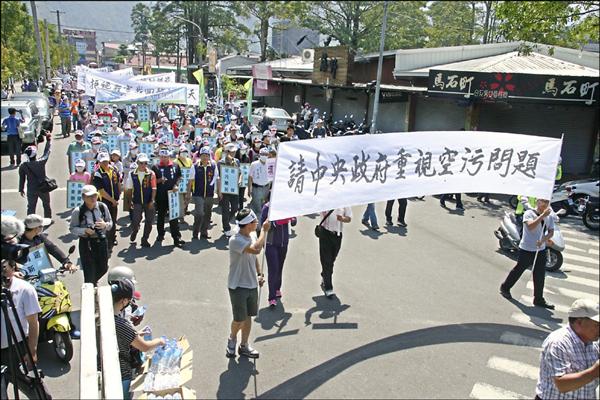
(55, 303)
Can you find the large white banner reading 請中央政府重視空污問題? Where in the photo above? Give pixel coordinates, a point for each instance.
(322, 174)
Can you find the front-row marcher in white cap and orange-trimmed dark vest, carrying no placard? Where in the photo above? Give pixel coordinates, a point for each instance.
(141, 185)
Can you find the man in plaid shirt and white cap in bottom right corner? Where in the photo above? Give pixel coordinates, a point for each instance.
(569, 365)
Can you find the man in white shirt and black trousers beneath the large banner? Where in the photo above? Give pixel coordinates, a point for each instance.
(330, 241)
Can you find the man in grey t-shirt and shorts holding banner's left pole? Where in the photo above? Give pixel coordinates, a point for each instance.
(242, 280)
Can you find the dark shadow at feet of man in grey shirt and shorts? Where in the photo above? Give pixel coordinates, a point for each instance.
(234, 380)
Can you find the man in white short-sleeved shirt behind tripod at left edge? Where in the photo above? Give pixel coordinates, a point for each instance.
(20, 303)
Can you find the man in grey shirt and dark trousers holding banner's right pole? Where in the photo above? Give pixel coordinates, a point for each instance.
(535, 224)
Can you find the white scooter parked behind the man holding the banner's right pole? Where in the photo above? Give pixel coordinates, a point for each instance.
(508, 238)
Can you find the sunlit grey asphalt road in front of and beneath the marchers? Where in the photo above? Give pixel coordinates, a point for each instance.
(417, 312)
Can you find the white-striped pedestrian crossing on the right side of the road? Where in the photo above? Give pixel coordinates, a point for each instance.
(578, 278)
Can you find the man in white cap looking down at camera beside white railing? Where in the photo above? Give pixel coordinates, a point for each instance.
(90, 223)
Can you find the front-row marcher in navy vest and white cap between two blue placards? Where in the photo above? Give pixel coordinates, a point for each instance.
(201, 186)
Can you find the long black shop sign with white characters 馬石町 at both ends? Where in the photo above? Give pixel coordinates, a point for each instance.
(503, 86)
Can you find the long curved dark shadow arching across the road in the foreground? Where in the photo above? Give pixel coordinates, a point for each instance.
(302, 385)
